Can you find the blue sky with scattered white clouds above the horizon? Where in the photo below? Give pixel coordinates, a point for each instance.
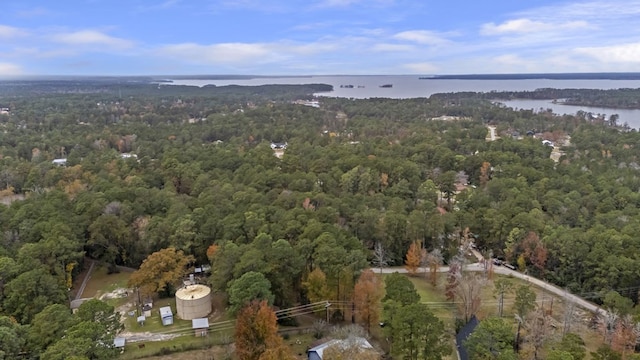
(317, 37)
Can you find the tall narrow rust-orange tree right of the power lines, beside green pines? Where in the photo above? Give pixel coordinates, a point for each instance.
(367, 298)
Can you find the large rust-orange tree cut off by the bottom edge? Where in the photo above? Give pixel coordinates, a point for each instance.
(256, 334)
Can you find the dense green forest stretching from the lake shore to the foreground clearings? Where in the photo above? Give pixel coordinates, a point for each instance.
(148, 167)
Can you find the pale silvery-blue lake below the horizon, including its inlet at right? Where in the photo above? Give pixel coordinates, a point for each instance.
(410, 86)
